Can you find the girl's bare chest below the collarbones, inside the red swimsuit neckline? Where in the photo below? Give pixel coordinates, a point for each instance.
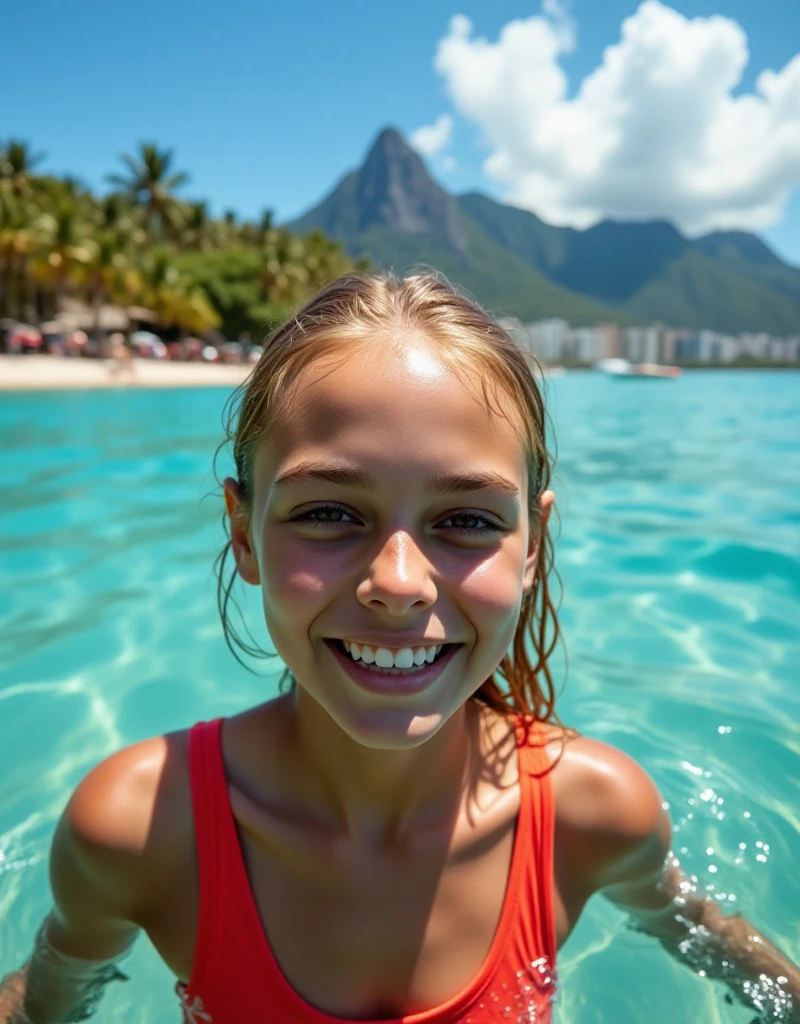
(378, 937)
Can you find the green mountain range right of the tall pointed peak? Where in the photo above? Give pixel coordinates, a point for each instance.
(728, 281)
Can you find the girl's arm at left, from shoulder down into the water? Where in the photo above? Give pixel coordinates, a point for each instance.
(99, 880)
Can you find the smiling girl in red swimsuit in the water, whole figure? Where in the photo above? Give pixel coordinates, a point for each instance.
(407, 833)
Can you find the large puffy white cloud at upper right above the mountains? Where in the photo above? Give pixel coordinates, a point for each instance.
(654, 132)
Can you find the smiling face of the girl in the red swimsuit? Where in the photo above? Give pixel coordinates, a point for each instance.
(389, 511)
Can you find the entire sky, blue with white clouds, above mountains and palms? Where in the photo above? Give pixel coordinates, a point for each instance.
(266, 106)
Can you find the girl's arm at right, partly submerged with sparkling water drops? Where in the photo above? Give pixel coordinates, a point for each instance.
(635, 869)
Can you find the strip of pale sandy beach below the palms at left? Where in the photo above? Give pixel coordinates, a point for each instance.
(39, 373)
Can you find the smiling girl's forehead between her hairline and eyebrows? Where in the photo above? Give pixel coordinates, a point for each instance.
(396, 407)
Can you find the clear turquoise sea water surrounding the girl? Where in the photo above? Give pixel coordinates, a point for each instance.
(681, 554)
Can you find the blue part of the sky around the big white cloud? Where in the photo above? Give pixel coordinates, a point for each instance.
(267, 105)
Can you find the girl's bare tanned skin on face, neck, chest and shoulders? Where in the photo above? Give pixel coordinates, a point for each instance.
(389, 507)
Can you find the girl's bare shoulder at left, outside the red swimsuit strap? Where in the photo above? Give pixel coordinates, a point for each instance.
(130, 822)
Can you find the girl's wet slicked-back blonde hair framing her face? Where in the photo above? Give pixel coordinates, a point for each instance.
(363, 310)
